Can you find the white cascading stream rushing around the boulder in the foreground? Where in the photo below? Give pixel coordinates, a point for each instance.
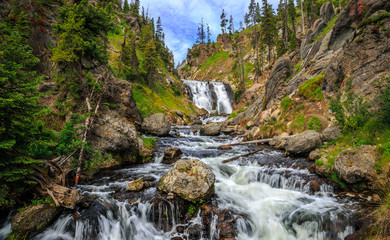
(270, 190)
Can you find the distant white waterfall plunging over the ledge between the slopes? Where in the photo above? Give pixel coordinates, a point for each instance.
(210, 96)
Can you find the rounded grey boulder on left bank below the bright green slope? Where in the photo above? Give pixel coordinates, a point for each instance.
(157, 124)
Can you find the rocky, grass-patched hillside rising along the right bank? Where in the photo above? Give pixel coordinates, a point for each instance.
(336, 78)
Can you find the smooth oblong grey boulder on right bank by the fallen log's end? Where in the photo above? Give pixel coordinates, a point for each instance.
(303, 143)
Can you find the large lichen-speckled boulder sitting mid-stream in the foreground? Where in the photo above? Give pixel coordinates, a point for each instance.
(191, 180)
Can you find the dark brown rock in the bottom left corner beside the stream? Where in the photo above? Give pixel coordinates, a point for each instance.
(34, 218)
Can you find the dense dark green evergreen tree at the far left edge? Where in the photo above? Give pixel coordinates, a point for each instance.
(18, 109)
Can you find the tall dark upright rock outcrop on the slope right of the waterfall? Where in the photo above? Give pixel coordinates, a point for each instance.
(274, 87)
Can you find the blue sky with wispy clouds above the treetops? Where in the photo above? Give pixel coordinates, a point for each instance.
(180, 19)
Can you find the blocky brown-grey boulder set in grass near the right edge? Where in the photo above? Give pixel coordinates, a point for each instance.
(354, 167)
